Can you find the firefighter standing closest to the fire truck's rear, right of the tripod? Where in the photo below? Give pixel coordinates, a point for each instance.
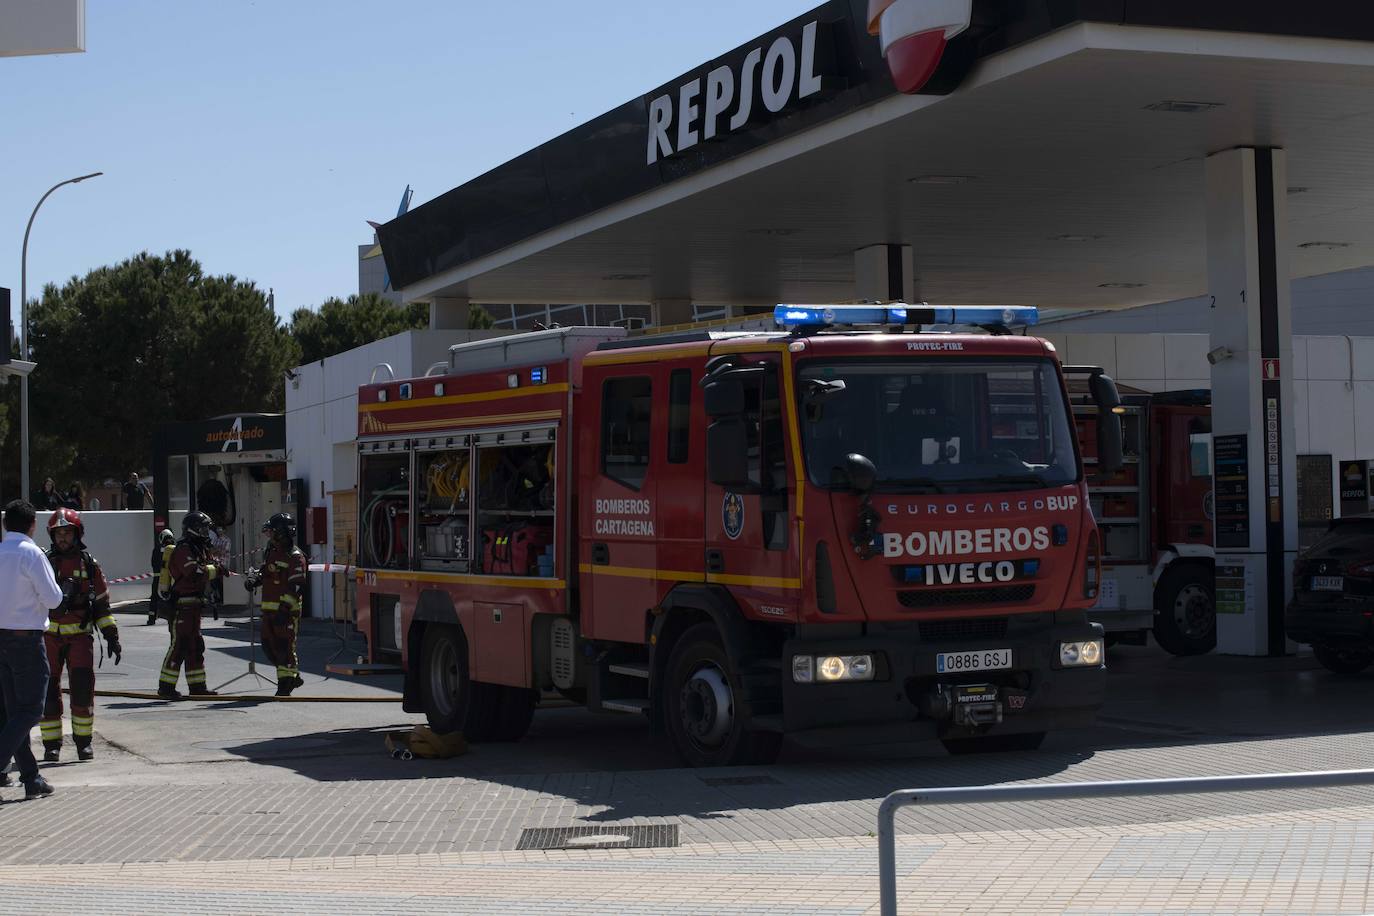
(282, 577)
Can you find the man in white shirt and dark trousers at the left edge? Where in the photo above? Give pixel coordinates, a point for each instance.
(28, 593)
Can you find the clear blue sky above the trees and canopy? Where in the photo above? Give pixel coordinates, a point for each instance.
(262, 135)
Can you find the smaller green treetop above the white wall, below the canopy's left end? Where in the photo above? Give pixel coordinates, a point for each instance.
(343, 325)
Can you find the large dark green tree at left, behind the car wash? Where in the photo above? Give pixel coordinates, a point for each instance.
(139, 344)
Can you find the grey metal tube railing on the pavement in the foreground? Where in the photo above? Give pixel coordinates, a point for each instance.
(1056, 792)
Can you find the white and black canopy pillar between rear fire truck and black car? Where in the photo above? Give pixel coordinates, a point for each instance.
(1255, 474)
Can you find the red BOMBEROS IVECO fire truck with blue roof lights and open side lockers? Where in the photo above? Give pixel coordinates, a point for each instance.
(842, 528)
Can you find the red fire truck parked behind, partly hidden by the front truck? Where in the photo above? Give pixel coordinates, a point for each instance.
(1155, 514)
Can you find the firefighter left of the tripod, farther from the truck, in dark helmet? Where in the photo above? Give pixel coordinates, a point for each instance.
(188, 573)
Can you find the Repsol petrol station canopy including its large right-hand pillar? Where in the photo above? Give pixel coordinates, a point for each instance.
(1071, 154)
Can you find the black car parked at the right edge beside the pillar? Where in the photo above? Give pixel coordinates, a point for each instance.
(1333, 597)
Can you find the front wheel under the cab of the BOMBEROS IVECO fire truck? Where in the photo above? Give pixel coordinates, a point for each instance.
(701, 707)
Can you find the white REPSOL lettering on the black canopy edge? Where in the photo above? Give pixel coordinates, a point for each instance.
(766, 83)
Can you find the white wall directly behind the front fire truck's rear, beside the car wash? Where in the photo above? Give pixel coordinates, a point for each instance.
(322, 421)
